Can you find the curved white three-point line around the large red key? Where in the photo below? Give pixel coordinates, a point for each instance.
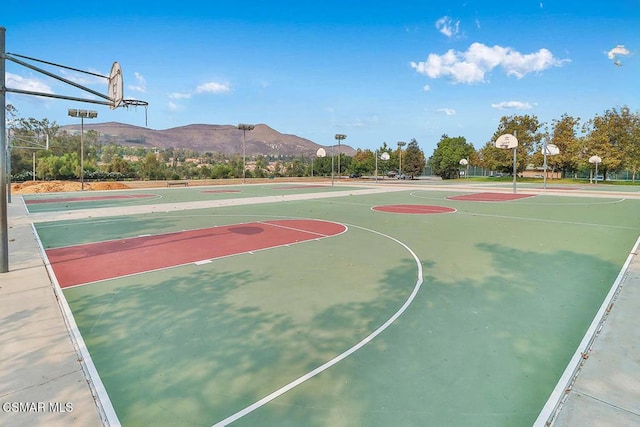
(341, 356)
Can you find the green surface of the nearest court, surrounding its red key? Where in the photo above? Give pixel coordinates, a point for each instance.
(490, 303)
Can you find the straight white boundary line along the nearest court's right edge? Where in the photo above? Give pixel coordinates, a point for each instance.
(565, 384)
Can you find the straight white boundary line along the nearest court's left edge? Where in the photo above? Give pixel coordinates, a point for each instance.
(100, 396)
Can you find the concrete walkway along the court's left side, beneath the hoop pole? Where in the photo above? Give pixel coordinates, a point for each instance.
(42, 382)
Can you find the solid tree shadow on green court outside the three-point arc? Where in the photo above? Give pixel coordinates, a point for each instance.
(482, 351)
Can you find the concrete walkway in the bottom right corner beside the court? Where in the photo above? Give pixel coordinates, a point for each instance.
(604, 386)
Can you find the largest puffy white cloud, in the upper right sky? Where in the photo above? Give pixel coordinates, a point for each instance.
(473, 65)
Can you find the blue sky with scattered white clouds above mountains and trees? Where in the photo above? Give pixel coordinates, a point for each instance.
(375, 71)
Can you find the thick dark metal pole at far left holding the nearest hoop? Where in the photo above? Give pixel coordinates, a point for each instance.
(4, 237)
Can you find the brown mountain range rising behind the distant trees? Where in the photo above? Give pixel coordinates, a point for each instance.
(226, 139)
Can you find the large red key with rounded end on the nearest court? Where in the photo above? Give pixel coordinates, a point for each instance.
(75, 265)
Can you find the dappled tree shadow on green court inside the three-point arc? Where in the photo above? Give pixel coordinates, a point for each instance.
(181, 349)
